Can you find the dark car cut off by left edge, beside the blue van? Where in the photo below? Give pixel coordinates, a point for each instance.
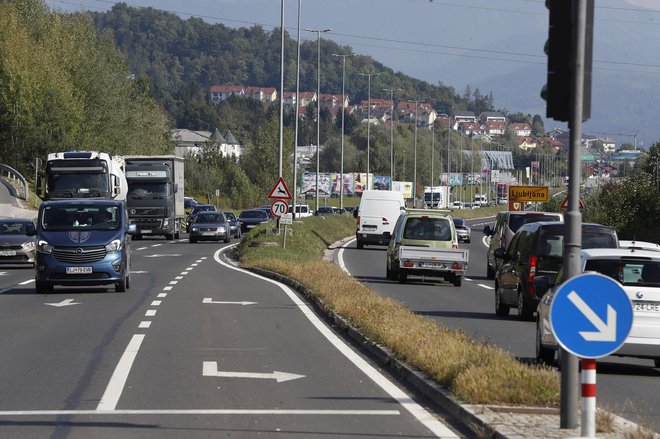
(16, 246)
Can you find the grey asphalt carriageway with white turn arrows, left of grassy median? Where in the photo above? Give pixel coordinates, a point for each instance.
(195, 349)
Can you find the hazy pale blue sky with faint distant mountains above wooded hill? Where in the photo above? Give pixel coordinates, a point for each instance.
(495, 45)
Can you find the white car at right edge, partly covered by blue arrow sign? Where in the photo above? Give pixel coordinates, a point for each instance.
(638, 272)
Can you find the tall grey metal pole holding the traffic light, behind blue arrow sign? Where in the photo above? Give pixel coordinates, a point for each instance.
(573, 242)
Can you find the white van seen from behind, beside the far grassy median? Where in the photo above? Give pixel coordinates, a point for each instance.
(376, 215)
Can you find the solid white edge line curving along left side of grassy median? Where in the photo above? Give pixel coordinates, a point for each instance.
(421, 414)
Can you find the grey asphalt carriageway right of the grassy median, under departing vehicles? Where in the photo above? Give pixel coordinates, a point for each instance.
(626, 386)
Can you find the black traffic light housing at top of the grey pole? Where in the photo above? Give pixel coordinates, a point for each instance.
(559, 48)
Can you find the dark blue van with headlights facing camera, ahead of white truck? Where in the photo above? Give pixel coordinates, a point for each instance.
(83, 242)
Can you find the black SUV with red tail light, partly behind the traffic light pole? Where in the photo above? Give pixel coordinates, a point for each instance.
(537, 249)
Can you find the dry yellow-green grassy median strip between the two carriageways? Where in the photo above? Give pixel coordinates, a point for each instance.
(475, 372)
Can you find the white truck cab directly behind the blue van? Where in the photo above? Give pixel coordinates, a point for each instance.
(82, 174)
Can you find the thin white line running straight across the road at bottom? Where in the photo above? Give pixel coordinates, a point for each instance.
(204, 412)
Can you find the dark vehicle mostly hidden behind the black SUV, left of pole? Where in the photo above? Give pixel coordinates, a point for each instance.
(506, 224)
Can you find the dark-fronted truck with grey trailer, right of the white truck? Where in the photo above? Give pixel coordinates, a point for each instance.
(155, 195)
